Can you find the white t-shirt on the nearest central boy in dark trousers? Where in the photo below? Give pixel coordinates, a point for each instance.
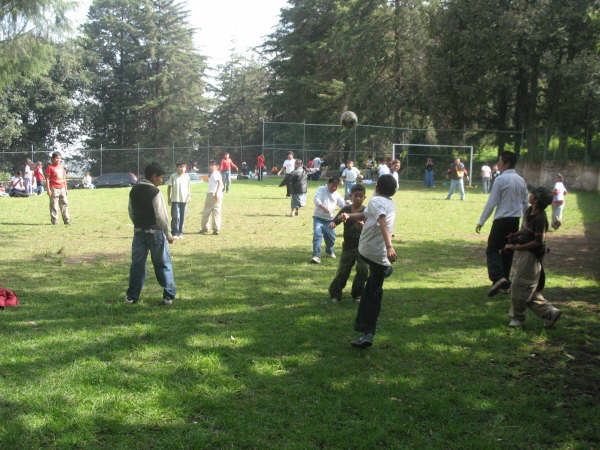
(371, 244)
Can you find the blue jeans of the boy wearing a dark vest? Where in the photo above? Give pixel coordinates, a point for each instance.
(156, 243)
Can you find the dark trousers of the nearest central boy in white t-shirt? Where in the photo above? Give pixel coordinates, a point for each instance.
(370, 300)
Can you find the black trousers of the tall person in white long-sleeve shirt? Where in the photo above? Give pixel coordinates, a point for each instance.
(499, 262)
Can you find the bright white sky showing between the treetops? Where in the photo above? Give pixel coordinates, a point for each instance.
(222, 24)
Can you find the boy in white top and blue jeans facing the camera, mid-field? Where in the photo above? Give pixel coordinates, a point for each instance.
(326, 200)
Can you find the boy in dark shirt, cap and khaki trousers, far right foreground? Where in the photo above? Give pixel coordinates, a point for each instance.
(528, 275)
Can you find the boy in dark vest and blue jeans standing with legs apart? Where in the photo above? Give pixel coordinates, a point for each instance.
(148, 213)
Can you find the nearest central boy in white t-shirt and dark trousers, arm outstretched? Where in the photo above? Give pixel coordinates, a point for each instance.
(375, 248)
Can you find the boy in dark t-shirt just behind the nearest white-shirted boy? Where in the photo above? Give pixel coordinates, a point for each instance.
(352, 230)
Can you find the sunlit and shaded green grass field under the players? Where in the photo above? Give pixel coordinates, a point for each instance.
(252, 354)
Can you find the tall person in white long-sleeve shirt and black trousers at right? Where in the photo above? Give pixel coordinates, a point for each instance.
(509, 197)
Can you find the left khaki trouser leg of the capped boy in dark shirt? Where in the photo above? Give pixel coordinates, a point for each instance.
(525, 279)
